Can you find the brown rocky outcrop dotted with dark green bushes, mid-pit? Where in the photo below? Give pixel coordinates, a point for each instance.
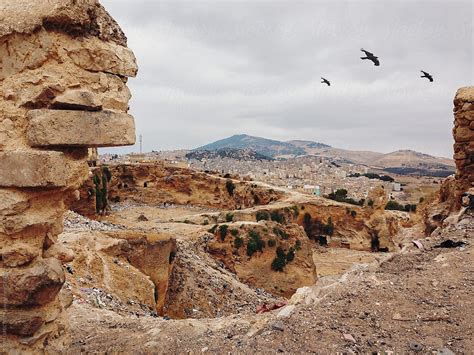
(249, 249)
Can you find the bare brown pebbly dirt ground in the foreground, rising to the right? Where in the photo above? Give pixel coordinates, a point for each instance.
(417, 301)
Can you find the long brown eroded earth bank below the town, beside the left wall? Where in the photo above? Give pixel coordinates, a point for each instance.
(154, 184)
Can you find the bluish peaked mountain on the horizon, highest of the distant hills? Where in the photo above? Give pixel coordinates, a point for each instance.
(268, 147)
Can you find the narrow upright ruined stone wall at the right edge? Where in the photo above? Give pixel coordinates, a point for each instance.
(463, 133)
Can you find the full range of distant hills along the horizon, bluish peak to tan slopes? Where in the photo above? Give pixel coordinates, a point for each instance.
(404, 162)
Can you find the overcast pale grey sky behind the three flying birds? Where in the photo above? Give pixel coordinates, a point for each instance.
(211, 69)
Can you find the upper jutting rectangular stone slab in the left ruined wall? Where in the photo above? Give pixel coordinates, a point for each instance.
(80, 128)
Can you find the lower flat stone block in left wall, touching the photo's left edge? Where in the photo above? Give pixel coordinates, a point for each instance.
(37, 169)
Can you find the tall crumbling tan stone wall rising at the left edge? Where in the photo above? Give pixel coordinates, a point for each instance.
(63, 70)
